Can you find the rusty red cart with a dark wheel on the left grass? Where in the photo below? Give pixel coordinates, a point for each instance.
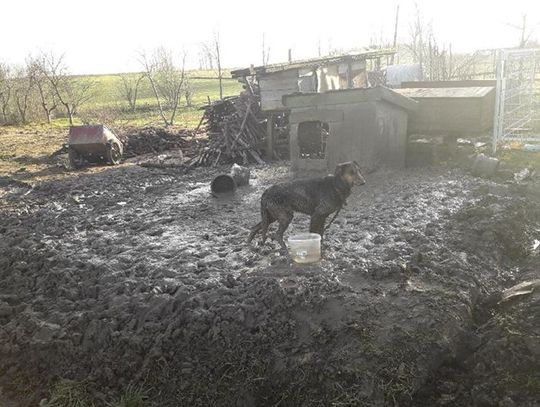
(93, 144)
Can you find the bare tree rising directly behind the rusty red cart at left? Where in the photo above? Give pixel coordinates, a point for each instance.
(72, 92)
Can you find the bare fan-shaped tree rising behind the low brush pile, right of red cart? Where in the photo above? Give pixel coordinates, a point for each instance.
(167, 81)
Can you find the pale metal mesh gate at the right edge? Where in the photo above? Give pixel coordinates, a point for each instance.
(516, 101)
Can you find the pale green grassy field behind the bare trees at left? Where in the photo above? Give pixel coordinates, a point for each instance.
(107, 102)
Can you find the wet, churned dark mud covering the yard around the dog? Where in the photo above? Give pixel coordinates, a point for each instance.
(139, 276)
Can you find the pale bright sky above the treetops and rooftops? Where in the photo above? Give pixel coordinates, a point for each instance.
(103, 36)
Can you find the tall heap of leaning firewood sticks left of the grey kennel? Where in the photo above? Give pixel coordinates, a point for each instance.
(235, 129)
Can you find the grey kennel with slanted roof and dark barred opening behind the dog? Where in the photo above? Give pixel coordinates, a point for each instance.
(366, 125)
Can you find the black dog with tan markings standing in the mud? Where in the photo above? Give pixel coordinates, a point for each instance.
(318, 197)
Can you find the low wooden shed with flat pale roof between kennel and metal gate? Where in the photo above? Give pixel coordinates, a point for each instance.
(451, 111)
